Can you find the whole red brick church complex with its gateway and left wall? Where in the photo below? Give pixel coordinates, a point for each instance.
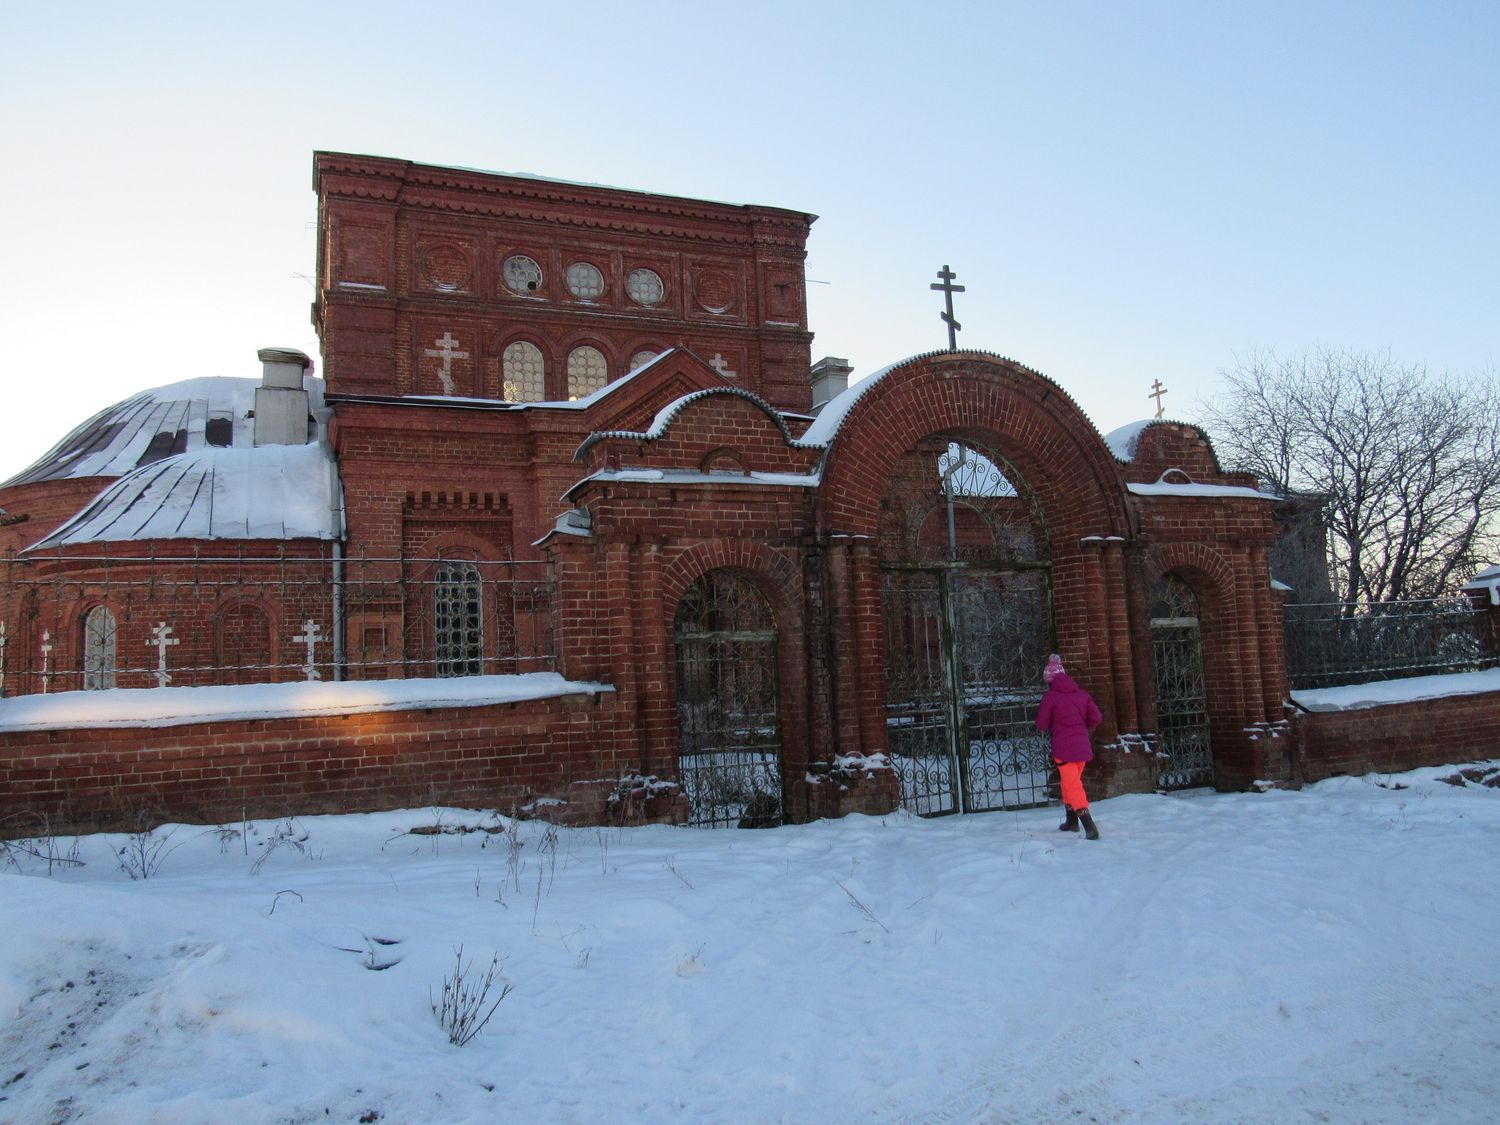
(572, 521)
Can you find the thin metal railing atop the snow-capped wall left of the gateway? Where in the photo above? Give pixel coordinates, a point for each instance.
(110, 622)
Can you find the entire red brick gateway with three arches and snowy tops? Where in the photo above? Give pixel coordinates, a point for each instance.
(854, 614)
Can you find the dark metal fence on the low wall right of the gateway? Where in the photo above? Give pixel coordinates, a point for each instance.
(1337, 644)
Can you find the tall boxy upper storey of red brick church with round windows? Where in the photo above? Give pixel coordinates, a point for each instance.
(511, 289)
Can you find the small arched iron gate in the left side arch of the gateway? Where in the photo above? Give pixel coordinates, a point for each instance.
(730, 740)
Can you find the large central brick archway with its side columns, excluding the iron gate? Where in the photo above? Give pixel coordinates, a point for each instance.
(1063, 467)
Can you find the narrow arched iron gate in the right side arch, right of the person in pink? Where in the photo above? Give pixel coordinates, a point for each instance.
(1183, 718)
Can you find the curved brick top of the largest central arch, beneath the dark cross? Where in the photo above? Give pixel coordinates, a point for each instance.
(1024, 415)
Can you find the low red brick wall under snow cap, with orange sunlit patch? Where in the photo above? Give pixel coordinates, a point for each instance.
(500, 757)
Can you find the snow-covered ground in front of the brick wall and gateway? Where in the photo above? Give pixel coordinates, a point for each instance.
(1328, 955)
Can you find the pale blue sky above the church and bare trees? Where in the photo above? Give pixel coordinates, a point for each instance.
(1129, 193)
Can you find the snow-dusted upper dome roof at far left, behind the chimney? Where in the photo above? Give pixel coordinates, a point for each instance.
(181, 418)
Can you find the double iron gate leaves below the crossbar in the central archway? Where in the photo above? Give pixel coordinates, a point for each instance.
(965, 650)
